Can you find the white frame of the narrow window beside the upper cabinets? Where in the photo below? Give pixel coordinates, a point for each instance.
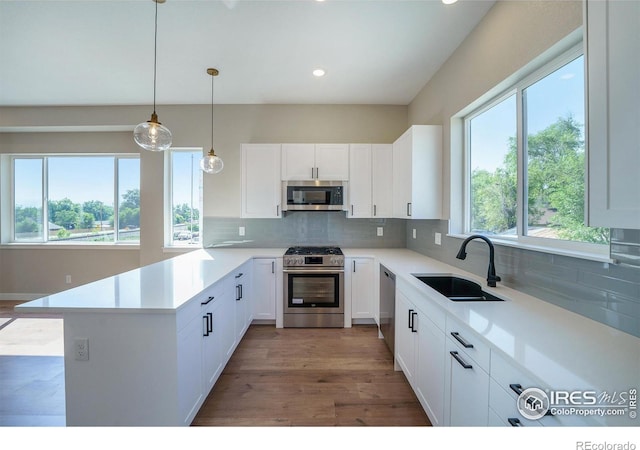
(169, 243)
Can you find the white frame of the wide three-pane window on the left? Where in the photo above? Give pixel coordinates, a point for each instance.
(10, 237)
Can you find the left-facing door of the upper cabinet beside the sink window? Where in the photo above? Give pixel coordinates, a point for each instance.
(401, 167)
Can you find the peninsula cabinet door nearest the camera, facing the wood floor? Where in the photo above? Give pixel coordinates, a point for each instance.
(190, 392)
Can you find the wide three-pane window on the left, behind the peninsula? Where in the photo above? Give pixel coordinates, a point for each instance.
(76, 199)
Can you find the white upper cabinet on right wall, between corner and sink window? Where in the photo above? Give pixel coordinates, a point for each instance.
(417, 173)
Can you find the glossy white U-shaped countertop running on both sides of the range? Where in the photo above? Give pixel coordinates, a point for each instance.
(563, 349)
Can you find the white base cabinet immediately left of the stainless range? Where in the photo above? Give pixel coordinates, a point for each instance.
(264, 288)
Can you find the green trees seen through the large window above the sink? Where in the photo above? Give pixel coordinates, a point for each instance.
(555, 184)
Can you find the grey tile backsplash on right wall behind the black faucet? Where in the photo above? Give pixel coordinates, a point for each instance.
(605, 292)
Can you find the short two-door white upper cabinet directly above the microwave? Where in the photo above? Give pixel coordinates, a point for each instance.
(327, 162)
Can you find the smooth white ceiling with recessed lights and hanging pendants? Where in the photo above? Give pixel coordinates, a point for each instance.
(92, 52)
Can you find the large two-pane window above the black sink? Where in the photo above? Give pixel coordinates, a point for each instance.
(532, 189)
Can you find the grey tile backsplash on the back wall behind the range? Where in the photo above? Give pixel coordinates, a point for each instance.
(304, 228)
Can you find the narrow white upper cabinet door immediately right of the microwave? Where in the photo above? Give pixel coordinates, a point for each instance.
(359, 181)
